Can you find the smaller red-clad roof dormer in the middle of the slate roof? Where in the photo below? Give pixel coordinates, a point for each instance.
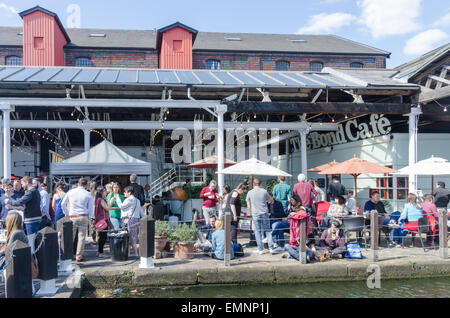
(175, 42)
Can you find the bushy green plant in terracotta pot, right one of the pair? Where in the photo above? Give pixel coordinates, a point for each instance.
(184, 237)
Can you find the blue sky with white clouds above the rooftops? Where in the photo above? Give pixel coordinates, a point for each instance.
(406, 28)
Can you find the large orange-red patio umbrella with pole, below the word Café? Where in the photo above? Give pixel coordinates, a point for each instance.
(355, 167)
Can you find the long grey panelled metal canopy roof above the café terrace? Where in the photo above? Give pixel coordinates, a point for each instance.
(328, 78)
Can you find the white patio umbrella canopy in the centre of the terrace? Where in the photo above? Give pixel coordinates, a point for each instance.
(254, 167)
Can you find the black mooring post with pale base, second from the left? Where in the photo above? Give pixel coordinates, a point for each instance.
(47, 257)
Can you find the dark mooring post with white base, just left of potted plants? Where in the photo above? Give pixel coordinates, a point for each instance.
(146, 241)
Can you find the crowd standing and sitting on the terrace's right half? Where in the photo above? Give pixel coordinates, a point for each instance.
(273, 214)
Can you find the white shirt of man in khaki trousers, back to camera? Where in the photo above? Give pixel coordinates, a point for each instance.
(80, 202)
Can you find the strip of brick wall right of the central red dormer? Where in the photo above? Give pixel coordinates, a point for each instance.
(266, 61)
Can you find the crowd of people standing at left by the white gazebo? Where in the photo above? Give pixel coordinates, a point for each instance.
(90, 207)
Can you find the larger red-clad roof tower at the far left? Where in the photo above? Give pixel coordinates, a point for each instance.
(44, 38)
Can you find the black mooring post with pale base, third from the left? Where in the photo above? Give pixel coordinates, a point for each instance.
(65, 230)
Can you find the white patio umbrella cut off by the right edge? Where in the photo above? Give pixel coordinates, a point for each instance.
(431, 166)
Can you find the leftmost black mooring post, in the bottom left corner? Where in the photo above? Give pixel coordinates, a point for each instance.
(18, 279)
